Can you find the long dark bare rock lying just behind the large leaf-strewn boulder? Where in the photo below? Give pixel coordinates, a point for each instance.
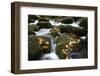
(70, 29)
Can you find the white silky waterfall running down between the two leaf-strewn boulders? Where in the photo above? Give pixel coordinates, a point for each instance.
(52, 55)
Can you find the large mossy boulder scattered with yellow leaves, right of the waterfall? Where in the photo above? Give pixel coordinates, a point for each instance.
(66, 43)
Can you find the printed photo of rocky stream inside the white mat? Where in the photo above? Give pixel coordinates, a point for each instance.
(50, 29)
